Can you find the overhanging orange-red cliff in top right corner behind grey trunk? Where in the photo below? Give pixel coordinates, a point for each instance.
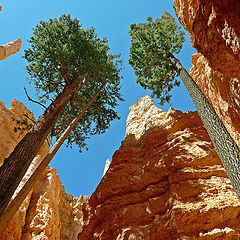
(214, 32)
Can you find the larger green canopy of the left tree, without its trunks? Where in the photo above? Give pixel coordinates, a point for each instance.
(61, 52)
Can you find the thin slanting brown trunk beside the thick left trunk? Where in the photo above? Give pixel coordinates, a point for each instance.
(17, 201)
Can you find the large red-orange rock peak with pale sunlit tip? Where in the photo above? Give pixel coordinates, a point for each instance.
(165, 182)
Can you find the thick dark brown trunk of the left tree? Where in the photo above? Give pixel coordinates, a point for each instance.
(16, 165)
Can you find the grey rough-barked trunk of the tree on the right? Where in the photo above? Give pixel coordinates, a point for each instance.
(224, 144)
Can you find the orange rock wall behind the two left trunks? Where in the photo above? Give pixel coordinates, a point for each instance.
(48, 212)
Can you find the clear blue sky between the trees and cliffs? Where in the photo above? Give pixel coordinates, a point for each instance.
(81, 172)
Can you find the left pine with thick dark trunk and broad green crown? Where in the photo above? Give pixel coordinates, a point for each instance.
(68, 65)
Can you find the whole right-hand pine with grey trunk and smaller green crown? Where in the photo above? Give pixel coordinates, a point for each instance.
(151, 55)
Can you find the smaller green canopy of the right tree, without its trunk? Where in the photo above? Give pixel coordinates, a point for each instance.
(151, 44)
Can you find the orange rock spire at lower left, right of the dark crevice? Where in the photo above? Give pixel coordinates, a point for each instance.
(52, 213)
